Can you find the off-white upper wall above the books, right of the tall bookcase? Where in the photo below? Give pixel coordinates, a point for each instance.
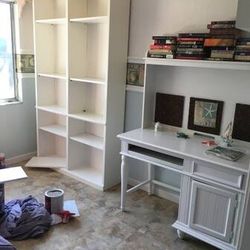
(162, 17)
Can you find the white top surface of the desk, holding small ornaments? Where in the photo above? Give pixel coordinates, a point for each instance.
(167, 141)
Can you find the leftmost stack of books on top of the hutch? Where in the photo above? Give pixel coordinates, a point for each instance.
(162, 47)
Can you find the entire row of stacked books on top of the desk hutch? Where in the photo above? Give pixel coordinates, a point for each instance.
(224, 42)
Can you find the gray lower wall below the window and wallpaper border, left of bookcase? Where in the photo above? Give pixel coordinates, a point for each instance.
(18, 123)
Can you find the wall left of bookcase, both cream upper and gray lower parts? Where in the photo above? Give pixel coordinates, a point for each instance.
(17, 126)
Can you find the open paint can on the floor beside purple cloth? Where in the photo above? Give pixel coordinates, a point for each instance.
(54, 200)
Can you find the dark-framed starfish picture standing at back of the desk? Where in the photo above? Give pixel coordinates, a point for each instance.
(205, 115)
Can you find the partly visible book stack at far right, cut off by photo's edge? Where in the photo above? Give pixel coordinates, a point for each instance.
(242, 50)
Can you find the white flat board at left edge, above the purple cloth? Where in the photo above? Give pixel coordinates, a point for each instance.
(12, 174)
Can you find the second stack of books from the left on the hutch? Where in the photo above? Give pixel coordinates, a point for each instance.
(190, 46)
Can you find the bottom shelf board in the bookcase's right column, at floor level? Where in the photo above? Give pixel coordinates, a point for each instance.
(88, 175)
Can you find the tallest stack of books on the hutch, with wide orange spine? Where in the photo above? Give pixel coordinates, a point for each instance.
(221, 42)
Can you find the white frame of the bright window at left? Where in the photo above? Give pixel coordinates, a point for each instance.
(13, 38)
